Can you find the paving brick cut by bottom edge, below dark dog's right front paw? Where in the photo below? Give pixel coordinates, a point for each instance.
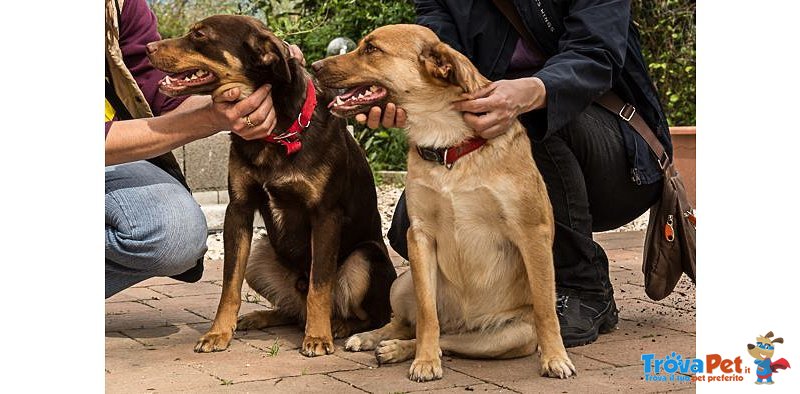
(321, 384)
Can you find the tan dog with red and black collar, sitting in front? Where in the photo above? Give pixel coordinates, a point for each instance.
(482, 281)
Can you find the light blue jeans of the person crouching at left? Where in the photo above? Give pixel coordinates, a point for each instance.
(153, 226)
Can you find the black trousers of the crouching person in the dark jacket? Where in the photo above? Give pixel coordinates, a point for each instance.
(585, 168)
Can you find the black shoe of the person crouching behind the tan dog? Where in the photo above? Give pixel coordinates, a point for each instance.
(584, 317)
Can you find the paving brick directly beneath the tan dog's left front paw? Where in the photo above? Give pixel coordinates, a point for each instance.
(393, 378)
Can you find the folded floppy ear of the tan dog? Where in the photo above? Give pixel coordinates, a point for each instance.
(444, 63)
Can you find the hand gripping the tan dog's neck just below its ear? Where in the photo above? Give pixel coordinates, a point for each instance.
(491, 110)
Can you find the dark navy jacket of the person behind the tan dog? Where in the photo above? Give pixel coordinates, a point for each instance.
(592, 46)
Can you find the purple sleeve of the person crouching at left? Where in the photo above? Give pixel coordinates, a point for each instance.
(138, 26)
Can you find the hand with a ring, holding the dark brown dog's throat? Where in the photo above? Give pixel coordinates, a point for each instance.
(252, 118)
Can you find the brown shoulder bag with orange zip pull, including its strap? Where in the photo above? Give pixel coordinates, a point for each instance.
(669, 247)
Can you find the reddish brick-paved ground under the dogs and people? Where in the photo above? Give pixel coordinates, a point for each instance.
(151, 330)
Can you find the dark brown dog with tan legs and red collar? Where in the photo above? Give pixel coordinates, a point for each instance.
(324, 261)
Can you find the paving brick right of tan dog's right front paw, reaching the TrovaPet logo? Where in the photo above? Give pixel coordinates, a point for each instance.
(627, 353)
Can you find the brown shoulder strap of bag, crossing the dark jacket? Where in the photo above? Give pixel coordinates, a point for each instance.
(610, 100)
